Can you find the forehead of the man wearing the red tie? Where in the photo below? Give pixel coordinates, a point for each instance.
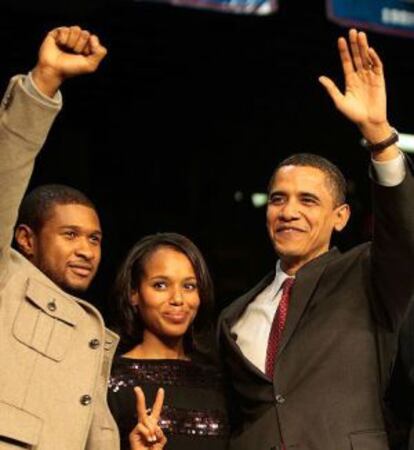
(301, 179)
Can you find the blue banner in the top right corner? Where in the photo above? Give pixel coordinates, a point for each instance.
(387, 16)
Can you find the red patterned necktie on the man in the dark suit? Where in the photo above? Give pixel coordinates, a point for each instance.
(278, 325)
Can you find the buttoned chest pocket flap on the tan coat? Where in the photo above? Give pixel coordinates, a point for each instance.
(54, 303)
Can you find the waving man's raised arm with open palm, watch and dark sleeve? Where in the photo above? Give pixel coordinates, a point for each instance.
(364, 103)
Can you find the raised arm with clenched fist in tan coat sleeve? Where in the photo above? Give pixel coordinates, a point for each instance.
(27, 113)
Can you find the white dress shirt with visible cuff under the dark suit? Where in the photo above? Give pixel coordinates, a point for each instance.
(252, 329)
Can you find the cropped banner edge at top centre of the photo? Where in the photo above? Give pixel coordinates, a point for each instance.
(254, 7)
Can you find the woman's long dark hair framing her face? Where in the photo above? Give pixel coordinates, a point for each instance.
(128, 323)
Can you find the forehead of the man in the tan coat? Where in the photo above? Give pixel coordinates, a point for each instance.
(75, 215)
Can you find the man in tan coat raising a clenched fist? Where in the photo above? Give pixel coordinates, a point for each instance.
(55, 353)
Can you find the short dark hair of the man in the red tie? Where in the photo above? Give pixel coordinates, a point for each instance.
(334, 176)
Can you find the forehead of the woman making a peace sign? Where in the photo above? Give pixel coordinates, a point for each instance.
(168, 260)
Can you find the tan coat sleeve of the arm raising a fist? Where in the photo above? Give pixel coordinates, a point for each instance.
(24, 123)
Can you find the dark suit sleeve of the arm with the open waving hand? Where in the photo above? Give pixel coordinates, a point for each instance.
(392, 251)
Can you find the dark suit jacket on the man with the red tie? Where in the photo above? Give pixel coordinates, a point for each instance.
(338, 346)
